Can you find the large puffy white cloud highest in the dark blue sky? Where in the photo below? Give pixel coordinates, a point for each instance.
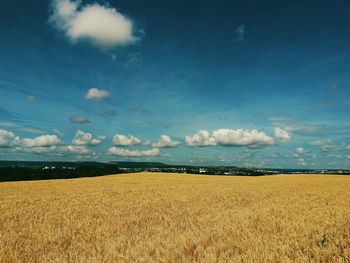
(102, 25)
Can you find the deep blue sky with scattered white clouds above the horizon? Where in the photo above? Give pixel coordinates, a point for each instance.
(248, 83)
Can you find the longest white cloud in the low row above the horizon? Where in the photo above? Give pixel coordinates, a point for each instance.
(230, 137)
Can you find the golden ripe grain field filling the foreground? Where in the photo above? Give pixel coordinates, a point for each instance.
(154, 217)
